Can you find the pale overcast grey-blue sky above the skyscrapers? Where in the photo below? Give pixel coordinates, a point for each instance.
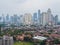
(28, 6)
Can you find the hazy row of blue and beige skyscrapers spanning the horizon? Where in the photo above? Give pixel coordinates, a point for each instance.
(37, 18)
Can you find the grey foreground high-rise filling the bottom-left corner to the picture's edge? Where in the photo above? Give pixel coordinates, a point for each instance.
(6, 40)
